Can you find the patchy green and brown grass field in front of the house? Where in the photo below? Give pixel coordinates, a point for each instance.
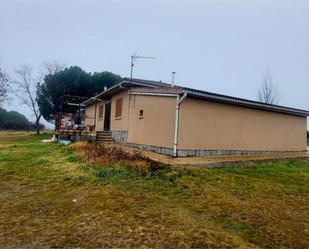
(50, 199)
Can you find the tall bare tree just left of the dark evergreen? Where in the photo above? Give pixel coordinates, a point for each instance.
(25, 90)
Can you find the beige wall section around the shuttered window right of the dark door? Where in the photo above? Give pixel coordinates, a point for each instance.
(120, 124)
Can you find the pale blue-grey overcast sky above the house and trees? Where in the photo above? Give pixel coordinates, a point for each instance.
(218, 46)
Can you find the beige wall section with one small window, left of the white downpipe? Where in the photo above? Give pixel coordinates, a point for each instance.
(157, 126)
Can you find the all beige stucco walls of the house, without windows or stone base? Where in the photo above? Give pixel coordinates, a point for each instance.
(204, 125)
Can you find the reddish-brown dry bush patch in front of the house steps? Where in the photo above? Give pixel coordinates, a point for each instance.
(110, 156)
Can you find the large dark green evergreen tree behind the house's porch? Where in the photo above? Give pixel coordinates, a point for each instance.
(70, 81)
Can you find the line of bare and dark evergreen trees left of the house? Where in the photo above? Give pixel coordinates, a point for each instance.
(44, 94)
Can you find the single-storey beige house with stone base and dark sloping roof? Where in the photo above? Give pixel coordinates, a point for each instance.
(181, 121)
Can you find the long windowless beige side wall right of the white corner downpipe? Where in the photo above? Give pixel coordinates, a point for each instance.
(211, 125)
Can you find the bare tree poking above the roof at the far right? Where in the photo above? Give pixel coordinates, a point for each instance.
(268, 92)
